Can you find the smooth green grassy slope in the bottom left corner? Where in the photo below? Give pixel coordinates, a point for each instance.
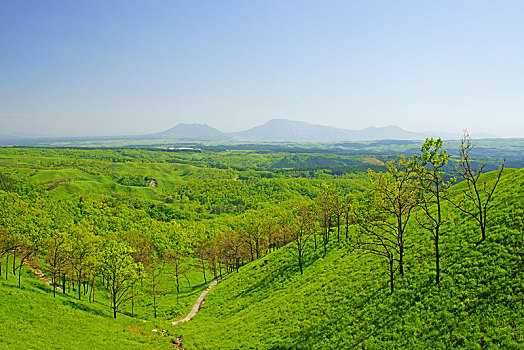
(32, 319)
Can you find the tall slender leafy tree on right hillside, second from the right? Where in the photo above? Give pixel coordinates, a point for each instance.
(430, 162)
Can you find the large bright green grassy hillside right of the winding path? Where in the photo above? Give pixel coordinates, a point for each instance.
(342, 300)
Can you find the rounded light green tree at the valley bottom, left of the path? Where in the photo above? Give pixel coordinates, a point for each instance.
(120, 271)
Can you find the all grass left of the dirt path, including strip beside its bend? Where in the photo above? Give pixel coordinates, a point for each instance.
(32, 318)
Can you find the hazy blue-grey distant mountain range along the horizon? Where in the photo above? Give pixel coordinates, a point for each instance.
(275, 130)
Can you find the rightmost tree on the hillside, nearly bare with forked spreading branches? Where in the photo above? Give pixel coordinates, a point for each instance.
(477, 191)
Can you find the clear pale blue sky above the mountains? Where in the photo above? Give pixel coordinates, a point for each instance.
(92, 68)
